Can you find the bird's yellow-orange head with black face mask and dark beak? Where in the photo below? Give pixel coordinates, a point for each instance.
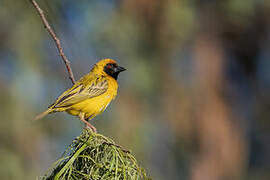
(108, 67)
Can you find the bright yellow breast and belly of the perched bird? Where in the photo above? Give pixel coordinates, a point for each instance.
(96, 105)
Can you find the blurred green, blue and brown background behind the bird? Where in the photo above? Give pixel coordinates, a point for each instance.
(194, 103)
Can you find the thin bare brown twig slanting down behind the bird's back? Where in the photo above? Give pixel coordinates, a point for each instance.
(55, 38)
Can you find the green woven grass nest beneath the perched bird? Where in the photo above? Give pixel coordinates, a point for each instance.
(92, 156)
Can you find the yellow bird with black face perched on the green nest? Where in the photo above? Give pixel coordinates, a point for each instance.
(90, 95)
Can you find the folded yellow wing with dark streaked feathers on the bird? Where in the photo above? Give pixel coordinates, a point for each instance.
(84, 89)
